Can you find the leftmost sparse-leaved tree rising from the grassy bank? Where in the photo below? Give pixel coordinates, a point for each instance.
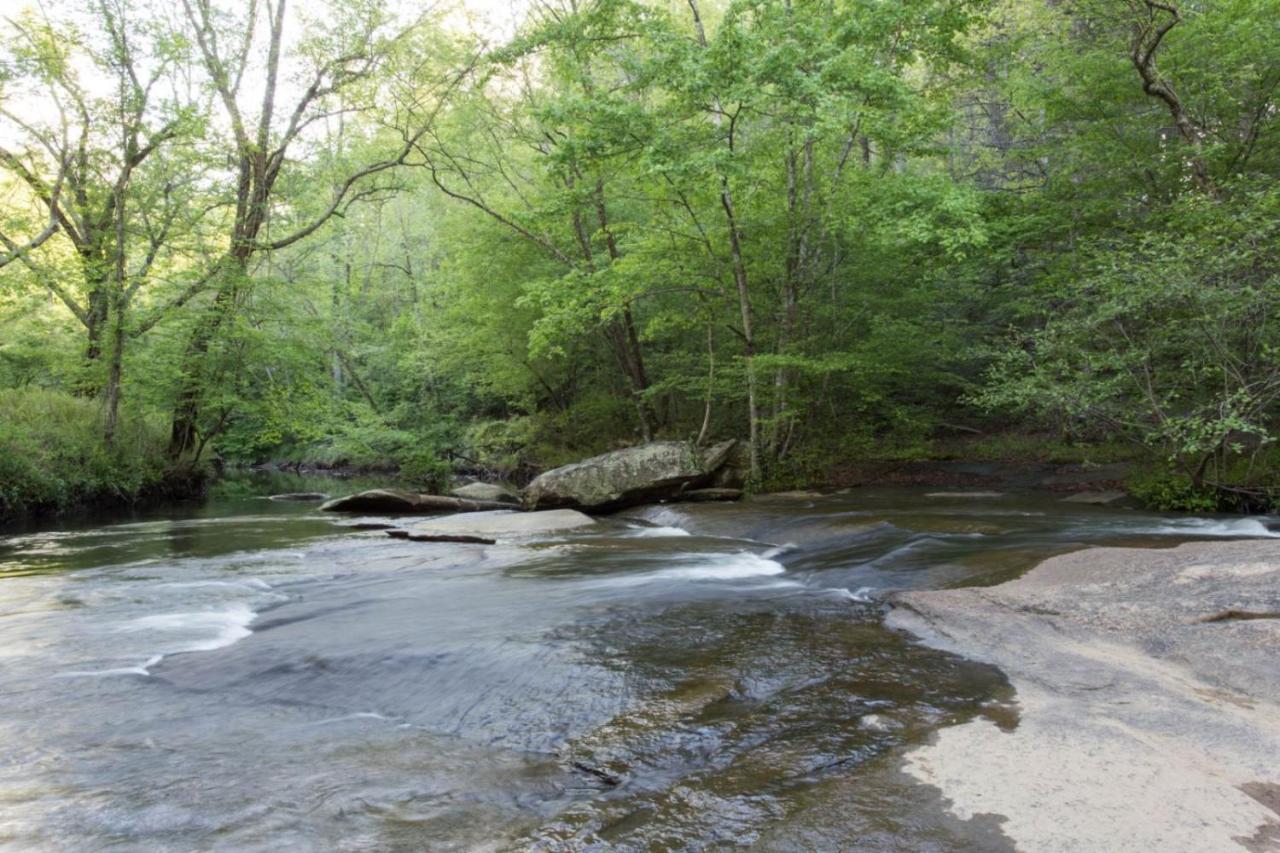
(92, 163)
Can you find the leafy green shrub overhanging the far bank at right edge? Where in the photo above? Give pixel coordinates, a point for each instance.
(1164, 339)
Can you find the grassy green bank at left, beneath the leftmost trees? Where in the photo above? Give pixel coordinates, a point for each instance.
(53, 457)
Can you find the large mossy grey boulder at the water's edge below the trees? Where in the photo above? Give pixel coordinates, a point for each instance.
(655, 472)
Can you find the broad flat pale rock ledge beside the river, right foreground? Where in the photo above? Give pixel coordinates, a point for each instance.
(1149, 685)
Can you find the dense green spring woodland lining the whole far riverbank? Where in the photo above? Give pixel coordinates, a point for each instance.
(350, 234)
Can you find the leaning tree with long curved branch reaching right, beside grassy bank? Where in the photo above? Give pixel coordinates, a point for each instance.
(333, 63)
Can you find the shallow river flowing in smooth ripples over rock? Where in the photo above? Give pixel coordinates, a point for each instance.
(255, 676)
